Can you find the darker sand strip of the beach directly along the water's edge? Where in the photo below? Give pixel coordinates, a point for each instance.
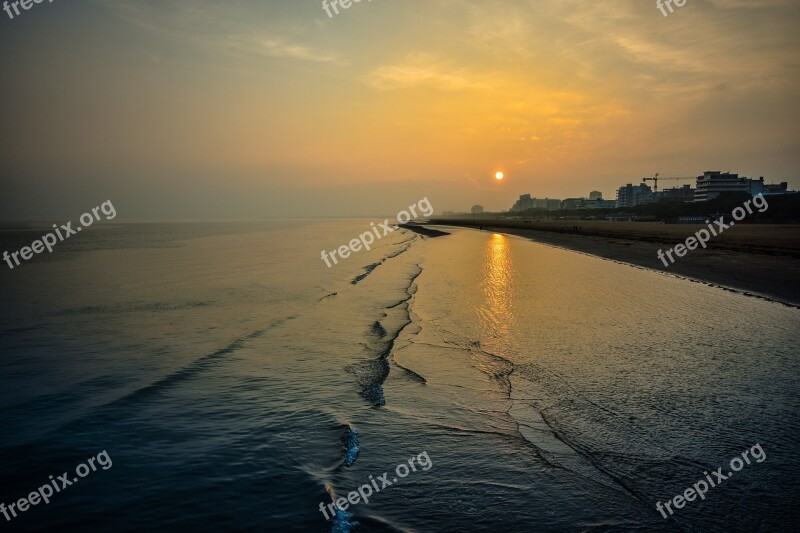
(769, 276)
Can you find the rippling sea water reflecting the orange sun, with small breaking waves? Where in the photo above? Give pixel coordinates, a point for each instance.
(237, 383)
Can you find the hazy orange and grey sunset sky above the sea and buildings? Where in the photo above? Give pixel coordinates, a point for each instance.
(241, 109)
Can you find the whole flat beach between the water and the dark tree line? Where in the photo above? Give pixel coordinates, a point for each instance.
(758, 259)
